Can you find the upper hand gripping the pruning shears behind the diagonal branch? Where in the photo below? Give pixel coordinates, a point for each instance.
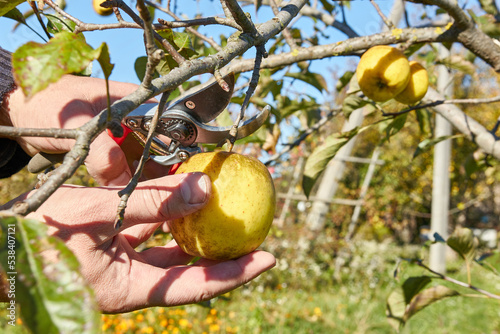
(70, 103)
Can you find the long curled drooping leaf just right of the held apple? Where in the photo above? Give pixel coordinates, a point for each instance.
(319, 159)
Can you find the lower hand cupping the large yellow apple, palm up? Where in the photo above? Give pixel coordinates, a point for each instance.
(126, 280)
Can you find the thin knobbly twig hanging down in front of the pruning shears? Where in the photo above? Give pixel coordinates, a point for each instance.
(129, 189)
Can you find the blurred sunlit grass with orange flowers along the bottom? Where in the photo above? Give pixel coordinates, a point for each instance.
(305, 293)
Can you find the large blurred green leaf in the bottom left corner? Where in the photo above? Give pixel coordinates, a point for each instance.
(52, 294)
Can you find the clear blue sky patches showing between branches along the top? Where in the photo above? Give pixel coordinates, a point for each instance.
(126, 44)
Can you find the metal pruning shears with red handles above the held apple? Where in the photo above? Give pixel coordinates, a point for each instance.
(184, 121)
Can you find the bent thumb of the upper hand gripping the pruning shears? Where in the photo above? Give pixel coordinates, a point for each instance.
(107, 163)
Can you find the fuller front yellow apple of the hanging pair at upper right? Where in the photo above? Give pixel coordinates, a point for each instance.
(383, 72)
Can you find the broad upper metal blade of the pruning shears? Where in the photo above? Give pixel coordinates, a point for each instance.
(205, 102)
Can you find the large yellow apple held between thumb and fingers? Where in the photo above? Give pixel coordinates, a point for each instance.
(239, 213)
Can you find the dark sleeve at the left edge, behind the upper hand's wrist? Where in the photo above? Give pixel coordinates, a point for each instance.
(12, 156)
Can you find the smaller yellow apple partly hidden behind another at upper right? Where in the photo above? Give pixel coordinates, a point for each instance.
(417, 86)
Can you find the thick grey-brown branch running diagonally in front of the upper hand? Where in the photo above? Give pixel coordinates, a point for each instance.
(75, 157)
